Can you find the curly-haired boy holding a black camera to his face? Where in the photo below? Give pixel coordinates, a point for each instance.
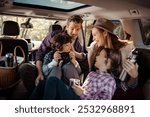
(61, 58)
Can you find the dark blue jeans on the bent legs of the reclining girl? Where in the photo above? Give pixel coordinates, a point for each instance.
(56, 89)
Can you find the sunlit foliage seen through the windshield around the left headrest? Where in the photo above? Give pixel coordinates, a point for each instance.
(39, 30)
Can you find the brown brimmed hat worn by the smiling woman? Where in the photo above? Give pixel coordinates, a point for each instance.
(105, 24)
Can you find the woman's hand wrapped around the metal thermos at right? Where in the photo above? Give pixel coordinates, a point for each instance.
(131, 68)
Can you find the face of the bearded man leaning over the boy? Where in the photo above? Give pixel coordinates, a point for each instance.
(73, 29)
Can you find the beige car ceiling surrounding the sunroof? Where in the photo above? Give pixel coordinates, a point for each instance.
(114, 9)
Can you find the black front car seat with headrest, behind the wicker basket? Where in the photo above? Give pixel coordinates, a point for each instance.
(11, 28)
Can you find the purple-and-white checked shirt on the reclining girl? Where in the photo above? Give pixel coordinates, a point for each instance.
(98, 86)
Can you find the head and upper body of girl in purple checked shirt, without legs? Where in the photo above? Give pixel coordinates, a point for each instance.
(100, 84)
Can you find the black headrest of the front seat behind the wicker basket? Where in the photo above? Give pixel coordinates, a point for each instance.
(10, 28)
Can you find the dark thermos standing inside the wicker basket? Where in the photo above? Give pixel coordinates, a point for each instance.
(9, 60)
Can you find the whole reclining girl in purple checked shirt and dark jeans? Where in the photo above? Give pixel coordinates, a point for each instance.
(98, 85)
